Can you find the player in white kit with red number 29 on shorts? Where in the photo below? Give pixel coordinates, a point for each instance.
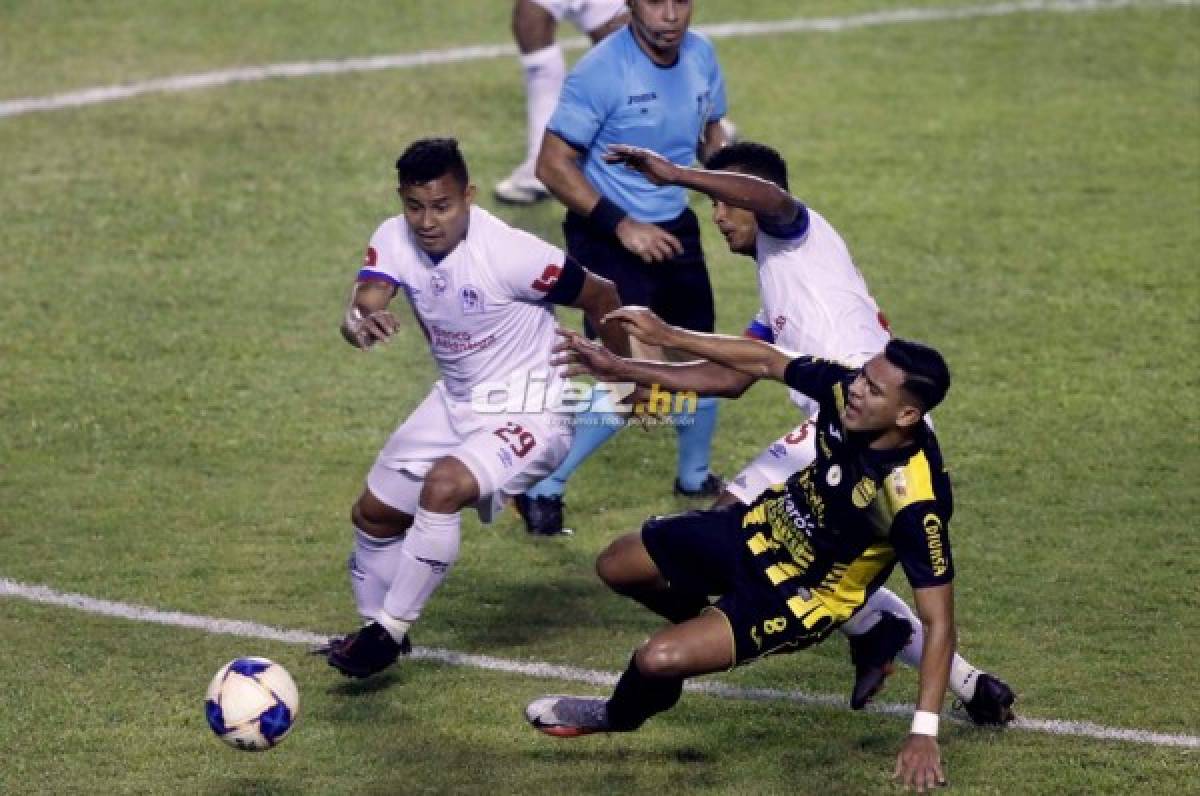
(483, 294)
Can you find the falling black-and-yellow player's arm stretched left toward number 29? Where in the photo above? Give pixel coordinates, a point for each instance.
(752, 357)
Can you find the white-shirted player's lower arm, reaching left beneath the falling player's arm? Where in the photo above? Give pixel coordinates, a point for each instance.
(584, 357)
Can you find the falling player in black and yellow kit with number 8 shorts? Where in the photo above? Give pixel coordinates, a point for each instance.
(800, 560)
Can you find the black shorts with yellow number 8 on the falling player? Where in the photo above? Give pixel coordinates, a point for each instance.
(705, 554)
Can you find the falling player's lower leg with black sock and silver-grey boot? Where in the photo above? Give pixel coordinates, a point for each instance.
(651, 685)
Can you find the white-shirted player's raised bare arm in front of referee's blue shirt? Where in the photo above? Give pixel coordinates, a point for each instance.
(761, 197)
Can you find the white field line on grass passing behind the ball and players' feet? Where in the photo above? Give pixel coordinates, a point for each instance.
(47, 596)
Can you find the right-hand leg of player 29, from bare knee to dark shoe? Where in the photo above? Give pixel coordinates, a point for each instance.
(429, 549)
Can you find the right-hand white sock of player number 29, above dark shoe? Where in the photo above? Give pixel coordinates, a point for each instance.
(427, 555)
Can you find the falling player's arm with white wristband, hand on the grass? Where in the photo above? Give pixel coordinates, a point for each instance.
(920, 763)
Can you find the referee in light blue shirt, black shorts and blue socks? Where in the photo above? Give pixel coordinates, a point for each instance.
(658, 86)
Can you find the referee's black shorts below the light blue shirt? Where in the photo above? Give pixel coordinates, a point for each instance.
(679, 290)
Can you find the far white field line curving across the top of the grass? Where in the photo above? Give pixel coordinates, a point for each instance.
(460, 55)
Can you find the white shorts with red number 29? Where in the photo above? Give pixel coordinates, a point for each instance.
(506, 453)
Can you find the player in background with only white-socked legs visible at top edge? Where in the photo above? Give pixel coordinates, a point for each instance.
(535, 25)
